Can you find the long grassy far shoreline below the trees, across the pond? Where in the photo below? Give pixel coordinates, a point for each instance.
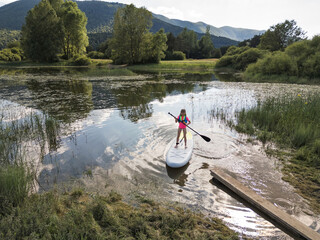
(104, 67)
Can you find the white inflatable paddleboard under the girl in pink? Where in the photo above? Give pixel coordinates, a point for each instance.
(178, 157)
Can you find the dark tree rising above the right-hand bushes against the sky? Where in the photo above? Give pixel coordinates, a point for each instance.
(281, 35)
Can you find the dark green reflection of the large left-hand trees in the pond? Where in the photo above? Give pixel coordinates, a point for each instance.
(67, 101)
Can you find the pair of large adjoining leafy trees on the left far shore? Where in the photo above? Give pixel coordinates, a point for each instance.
(53, 27)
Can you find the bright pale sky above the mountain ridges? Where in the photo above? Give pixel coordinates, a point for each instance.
(253, 14)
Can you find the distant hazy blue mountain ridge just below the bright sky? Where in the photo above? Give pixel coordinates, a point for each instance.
(238, 34)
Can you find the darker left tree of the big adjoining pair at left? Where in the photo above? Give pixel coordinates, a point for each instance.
(42, 35)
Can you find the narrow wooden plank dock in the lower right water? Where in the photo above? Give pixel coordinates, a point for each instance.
(277, 215)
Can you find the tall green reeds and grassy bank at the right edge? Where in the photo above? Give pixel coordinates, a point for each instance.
(293, 123)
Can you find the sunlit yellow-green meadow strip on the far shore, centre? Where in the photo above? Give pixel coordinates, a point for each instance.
(178, 65)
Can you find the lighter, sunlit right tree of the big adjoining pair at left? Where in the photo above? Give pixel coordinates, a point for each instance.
(75, 32)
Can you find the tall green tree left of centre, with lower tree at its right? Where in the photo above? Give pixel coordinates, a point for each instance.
(131, 25)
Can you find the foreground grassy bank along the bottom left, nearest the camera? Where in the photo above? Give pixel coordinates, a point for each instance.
(78, 215)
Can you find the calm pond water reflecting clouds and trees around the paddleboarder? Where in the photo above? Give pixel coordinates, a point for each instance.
(115, 132)
